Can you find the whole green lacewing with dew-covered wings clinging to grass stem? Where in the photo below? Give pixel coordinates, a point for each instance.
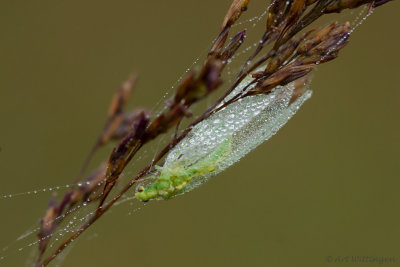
(221, 140)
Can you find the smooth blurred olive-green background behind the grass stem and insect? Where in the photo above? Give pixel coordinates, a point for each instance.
(326, 186)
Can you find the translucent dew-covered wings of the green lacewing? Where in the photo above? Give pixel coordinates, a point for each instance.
(247, 123)
